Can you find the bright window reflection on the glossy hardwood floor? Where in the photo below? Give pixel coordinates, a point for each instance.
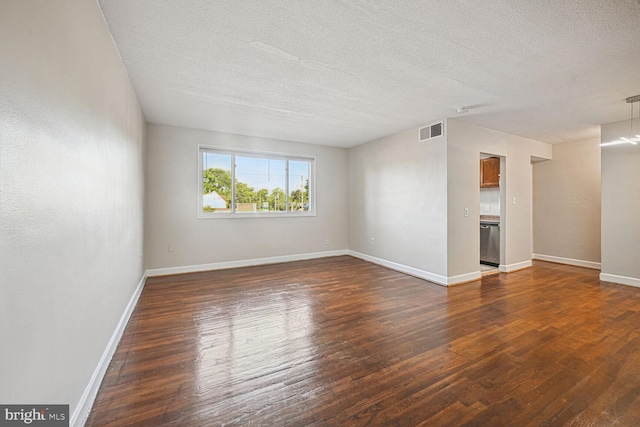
(259, 340)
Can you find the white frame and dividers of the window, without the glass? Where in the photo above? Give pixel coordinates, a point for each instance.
(202, 214)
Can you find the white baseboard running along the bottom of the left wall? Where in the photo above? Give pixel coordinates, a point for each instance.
(83, 409)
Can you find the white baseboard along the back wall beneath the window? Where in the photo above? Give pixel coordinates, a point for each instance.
(241, 263)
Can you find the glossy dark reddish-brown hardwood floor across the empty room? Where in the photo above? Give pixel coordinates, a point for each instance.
(342, 342)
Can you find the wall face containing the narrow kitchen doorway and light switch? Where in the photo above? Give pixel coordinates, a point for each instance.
(465, 143)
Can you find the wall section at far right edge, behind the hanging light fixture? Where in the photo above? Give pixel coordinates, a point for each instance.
(620, 232)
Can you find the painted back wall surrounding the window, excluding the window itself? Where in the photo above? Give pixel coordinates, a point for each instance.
(171, 204)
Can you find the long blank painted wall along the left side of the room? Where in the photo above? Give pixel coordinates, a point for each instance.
(71, 197)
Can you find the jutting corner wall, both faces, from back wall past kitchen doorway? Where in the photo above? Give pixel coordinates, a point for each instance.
(410, 197)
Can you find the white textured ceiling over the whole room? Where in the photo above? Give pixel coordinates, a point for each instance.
(346, 72)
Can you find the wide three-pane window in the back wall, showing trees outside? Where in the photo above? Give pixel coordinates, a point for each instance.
(245, 184)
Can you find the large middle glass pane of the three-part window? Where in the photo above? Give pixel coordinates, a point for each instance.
(260, 184)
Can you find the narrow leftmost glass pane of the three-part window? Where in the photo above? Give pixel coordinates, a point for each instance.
(216, 182)
